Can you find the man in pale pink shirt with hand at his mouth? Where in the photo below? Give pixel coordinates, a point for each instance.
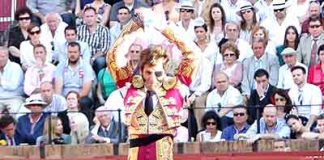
(39, 72)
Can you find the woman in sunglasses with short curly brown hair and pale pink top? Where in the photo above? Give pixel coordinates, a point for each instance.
(231, 66)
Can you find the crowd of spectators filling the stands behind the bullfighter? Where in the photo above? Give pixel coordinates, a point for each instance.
(260, 76)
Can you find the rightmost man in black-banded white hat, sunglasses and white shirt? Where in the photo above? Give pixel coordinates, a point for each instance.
(277, 25)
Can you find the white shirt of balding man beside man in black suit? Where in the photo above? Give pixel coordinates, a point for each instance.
(232, 96)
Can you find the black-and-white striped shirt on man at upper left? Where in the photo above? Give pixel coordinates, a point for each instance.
(99, 41)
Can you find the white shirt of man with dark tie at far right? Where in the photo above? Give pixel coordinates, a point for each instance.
(311, 95)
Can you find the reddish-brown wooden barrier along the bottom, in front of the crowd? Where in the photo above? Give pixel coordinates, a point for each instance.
(222, 150)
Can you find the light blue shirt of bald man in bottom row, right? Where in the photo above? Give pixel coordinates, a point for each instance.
(281, 129)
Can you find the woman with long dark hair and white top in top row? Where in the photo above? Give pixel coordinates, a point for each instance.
(216, 22)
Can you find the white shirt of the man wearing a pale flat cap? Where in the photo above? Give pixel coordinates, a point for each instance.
(285, 80)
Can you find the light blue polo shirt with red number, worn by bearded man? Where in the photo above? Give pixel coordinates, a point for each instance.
(74, 78)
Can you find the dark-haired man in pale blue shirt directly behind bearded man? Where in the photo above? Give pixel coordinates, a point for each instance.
(60, 53)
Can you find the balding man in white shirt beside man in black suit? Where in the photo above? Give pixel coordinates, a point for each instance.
(223, 99)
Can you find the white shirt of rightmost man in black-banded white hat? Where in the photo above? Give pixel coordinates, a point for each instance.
(276, 31)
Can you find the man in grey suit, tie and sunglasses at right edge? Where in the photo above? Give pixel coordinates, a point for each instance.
(309, 43)
